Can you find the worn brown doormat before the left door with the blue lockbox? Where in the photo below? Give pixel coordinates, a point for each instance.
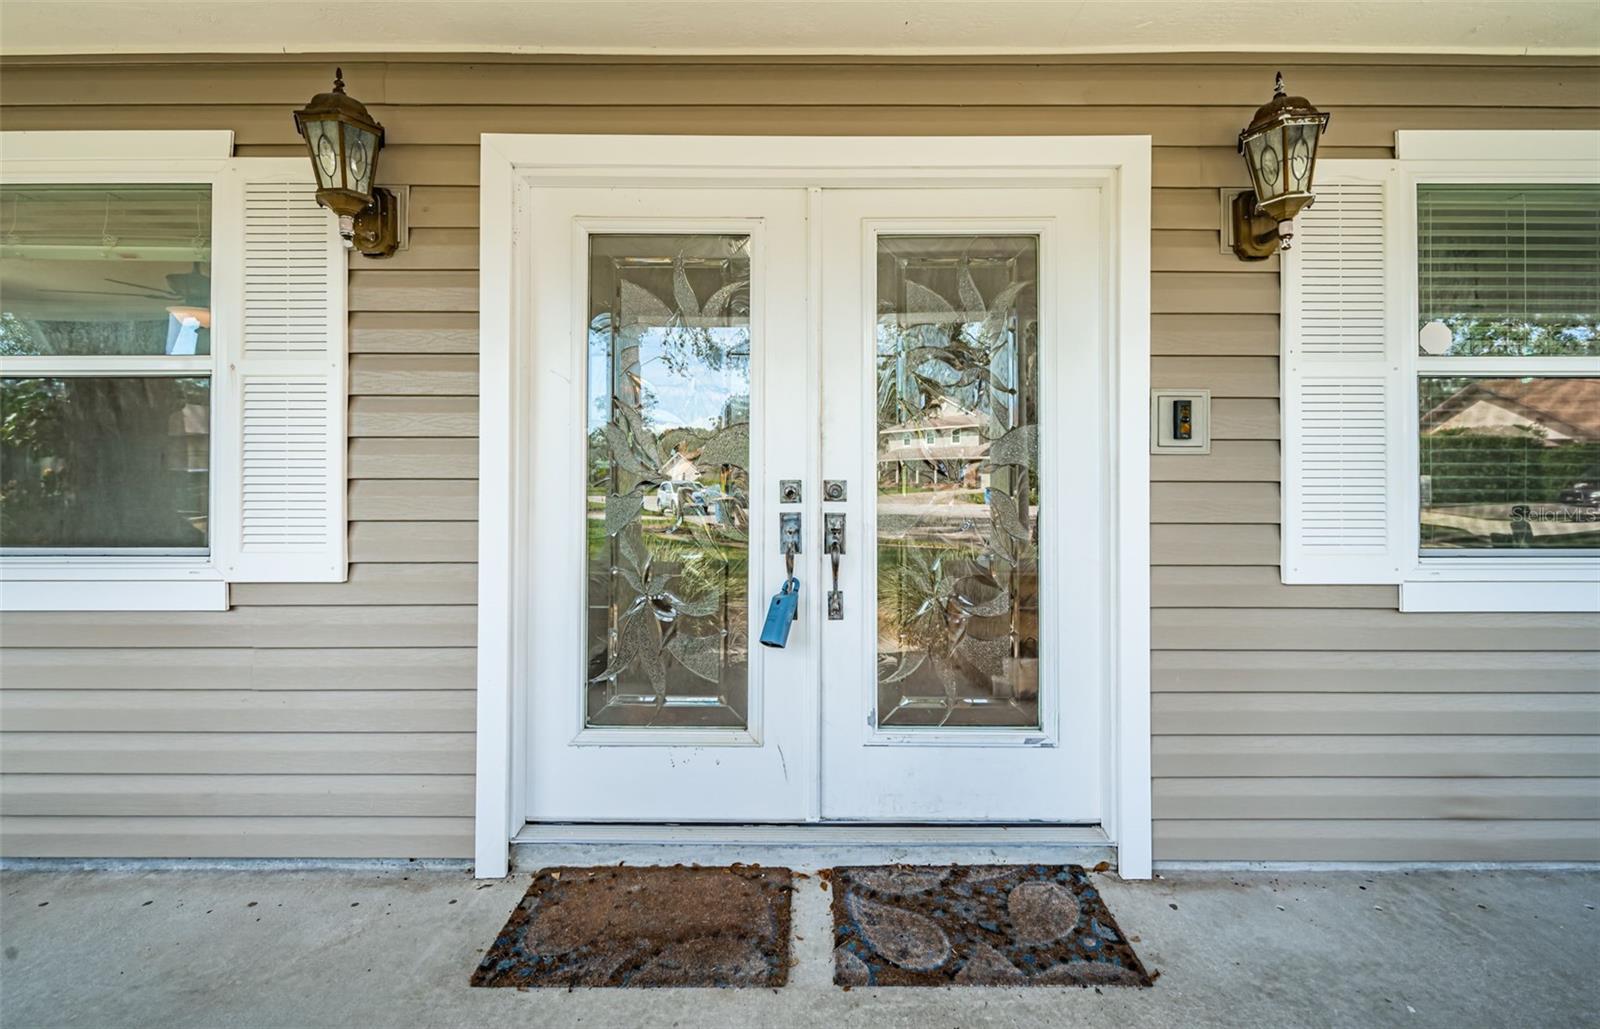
(646, 927)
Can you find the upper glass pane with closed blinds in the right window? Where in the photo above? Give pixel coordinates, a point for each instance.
(1510, 270)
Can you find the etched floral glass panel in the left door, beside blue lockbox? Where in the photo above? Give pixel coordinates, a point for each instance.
(668, 481)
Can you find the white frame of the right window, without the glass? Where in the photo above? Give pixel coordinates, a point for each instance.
(1489, 582)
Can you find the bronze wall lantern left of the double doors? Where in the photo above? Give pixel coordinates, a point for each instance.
(345, 142)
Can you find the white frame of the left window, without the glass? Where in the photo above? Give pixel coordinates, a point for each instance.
(132, 582)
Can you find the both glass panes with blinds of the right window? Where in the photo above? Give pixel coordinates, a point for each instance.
(1510, 446)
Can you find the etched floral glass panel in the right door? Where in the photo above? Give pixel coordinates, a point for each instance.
(958, 465)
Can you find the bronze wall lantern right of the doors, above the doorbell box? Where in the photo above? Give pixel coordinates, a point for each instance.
(1281, 151)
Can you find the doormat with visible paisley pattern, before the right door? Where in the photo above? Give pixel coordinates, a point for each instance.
(977, 926)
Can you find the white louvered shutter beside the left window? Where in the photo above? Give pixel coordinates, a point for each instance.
(284, 473)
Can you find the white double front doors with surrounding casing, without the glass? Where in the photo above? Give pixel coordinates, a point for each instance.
(1097, 185)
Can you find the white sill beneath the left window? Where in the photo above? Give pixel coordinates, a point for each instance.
(111, 585)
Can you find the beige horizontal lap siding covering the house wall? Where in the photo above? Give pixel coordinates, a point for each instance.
(337, 721)
